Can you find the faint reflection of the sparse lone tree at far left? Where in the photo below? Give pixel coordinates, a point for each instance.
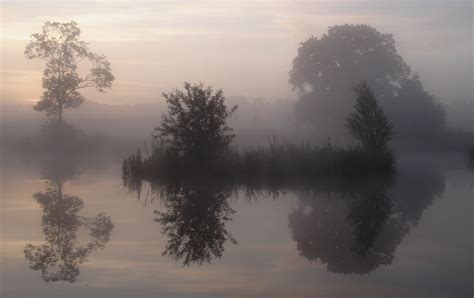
(59, 257)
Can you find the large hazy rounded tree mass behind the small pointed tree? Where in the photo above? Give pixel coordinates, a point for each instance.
(326, 69)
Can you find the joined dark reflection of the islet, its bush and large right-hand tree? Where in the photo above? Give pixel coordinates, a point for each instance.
(350, 226)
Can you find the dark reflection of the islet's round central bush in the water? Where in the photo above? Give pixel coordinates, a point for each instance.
(194, 222)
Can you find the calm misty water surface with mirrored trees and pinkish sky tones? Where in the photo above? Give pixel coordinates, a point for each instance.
(411, 237)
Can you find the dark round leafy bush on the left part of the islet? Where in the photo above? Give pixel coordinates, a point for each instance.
(195, 126)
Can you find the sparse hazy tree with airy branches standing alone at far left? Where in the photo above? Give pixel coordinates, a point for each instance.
(59, 45)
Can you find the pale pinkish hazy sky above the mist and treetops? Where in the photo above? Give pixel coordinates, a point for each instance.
(243, 47)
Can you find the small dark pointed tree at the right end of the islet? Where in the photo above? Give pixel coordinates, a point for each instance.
(368, 123)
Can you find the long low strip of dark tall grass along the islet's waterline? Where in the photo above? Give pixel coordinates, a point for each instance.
(277, 161)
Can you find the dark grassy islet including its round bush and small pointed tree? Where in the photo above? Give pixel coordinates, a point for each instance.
(195, 139)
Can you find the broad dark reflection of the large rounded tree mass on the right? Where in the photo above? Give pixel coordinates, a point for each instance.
(360, 232)
